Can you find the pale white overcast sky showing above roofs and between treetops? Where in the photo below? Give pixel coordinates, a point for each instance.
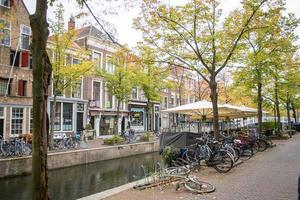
(123, 16)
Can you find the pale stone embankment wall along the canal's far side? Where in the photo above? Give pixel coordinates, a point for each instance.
(22, 165)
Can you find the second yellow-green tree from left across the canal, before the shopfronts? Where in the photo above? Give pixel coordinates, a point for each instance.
(121, 80)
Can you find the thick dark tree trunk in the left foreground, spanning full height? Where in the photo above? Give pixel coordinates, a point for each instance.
(41, 81)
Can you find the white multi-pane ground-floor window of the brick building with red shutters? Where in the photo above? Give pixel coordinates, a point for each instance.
(17, 121)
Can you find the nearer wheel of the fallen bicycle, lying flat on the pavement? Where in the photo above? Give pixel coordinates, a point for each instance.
(194, 185)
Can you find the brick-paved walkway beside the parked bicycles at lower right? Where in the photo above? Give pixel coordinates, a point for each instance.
(271, 175)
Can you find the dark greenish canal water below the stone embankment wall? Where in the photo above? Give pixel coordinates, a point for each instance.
(83, 180)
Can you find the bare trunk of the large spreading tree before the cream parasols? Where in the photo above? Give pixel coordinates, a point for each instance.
(214, 100)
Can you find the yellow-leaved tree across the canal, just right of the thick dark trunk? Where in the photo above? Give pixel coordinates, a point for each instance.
(66, 76)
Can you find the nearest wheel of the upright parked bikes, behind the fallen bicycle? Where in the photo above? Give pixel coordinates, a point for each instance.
(222, 161)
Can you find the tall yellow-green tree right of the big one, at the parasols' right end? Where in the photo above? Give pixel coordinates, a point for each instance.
(263, 46)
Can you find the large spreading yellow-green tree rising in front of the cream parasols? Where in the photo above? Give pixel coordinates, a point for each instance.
(195, 36)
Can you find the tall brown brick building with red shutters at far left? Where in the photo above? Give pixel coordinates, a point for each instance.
(15, 69)
